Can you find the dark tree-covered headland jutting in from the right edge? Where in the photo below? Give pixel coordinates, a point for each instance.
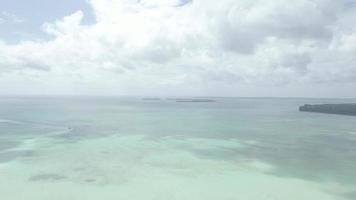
(341, 109)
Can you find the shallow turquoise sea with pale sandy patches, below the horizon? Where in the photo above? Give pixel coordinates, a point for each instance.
(127, 148)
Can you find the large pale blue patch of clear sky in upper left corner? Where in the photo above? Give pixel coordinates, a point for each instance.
(33, 13)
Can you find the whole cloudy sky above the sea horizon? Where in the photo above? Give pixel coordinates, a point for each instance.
(252, 48)
